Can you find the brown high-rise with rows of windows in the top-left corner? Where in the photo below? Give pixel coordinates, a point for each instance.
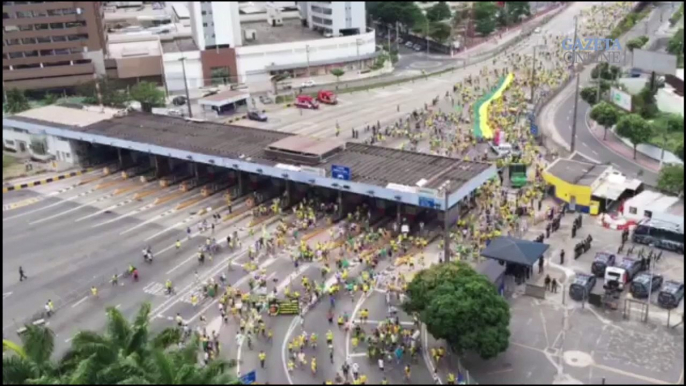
(51, 45)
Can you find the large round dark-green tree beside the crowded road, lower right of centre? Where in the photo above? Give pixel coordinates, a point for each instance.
(461, 306)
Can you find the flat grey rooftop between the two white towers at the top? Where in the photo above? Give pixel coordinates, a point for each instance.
(291, 31)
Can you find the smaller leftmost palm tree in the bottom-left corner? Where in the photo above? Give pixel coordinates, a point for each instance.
(30, 361)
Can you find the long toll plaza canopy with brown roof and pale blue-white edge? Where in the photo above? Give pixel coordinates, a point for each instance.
(396, 175)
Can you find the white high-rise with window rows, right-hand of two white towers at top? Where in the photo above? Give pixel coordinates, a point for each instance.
(334, 18)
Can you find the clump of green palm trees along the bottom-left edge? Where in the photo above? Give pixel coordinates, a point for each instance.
(125, 354)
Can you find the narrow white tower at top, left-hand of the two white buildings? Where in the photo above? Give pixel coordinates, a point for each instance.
(215, 24)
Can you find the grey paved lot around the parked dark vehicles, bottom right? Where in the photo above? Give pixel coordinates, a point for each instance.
(559, 340)
